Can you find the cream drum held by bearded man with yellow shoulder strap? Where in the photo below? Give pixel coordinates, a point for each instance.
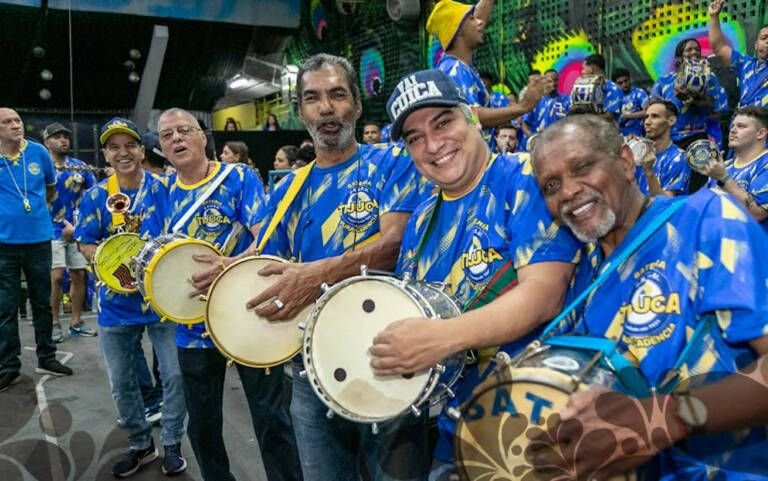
(240, 334)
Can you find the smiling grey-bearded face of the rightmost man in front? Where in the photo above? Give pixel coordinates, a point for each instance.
(584, 188)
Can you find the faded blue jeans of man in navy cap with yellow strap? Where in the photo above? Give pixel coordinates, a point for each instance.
(118, 346)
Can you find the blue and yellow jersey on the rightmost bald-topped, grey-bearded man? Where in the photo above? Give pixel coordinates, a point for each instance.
(706, 264)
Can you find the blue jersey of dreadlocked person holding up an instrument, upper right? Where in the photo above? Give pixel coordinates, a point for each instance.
(690, 120)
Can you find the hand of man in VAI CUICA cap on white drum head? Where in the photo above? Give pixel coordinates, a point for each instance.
(407, 346)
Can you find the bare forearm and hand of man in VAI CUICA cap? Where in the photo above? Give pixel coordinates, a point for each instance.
(410, 345)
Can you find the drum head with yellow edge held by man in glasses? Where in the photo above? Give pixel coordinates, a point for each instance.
(168, 282)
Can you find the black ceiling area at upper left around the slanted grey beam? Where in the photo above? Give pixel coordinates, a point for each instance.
(199, 58)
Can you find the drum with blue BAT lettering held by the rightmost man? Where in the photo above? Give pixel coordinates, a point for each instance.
(520, 394)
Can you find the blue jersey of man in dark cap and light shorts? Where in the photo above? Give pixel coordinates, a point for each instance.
(70, 187)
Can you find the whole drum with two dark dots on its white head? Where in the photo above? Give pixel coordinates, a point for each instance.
(340, 331)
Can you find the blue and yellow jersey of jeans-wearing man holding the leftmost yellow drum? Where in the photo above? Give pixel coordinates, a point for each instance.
(95, 226)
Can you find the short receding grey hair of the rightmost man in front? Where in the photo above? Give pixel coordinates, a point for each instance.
(598, 132)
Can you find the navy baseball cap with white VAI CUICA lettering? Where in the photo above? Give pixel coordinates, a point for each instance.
(426, 88)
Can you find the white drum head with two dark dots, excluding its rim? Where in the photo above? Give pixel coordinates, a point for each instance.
(340, 337)
